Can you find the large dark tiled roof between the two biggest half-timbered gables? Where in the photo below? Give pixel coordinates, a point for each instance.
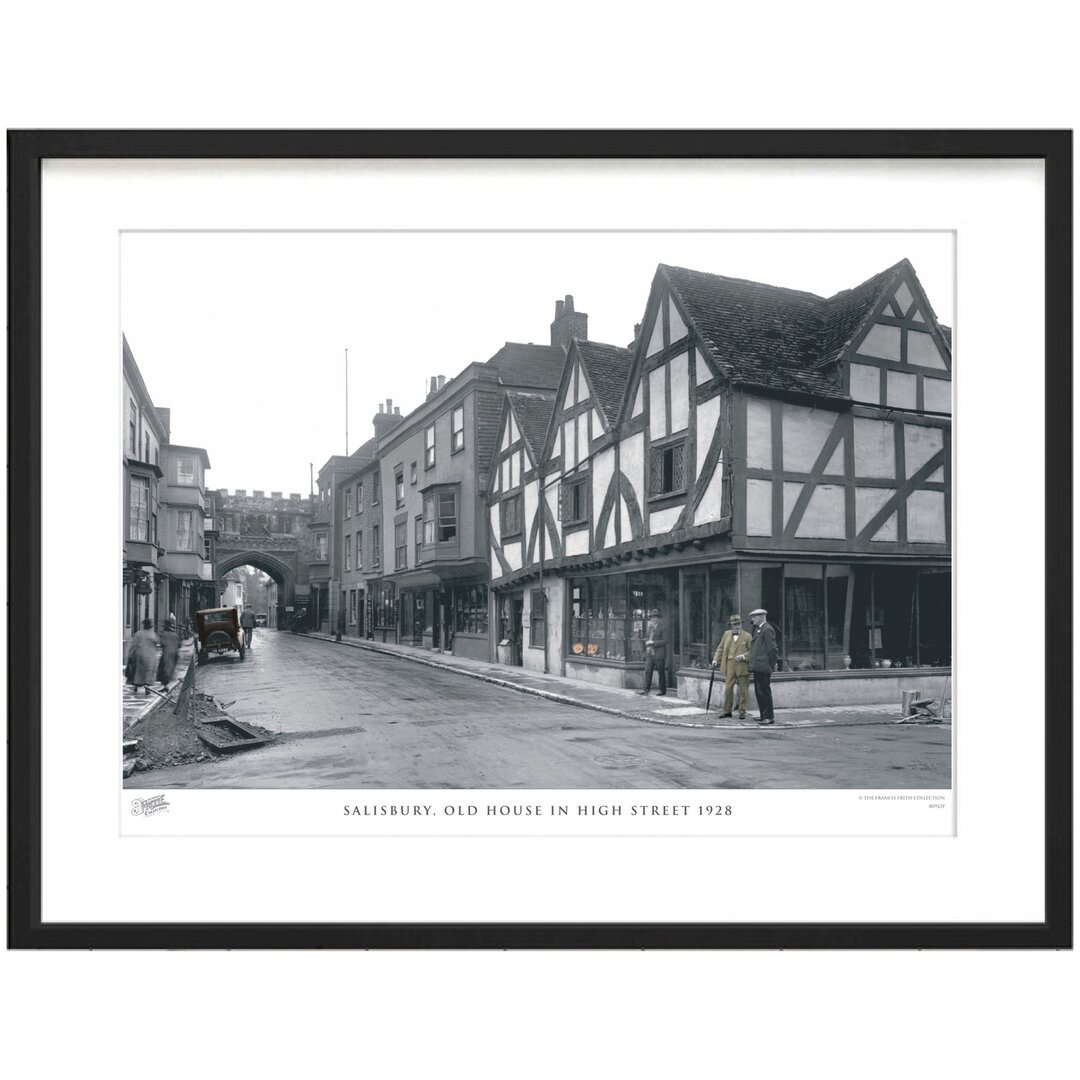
(775, 337)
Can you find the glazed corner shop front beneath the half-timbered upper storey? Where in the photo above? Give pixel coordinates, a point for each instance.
(847, 632)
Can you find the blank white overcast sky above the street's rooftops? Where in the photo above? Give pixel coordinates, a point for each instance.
(244, 335)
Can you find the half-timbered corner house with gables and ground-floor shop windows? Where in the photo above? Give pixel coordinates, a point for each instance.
(755, 447)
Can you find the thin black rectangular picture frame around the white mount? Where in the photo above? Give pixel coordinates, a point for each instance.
(29, 150)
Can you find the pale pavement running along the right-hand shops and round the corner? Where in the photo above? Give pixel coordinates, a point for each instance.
(616, 701)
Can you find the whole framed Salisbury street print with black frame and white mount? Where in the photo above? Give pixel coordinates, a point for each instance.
(541, 539)
